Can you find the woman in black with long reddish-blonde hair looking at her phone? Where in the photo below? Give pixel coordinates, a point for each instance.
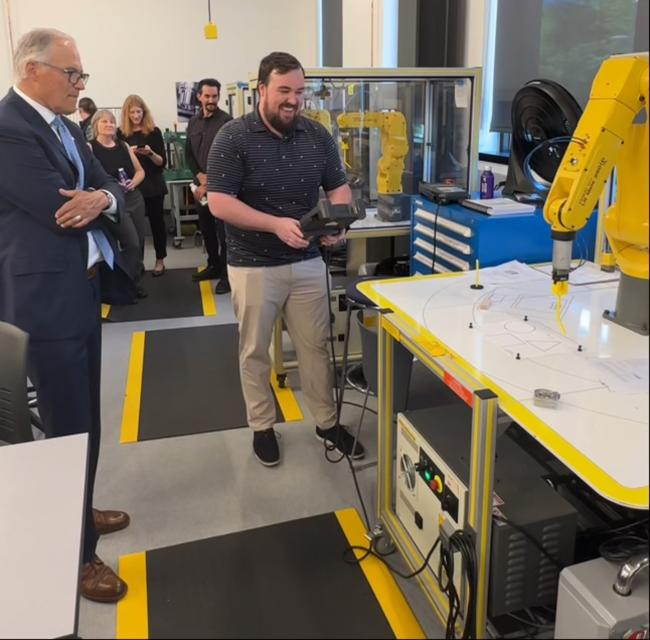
(138, 130)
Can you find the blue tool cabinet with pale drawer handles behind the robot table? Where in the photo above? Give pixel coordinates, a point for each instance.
(457, 237)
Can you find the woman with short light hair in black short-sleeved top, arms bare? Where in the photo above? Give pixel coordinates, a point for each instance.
(120, 162)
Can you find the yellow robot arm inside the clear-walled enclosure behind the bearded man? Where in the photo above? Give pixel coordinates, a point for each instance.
(394, 144)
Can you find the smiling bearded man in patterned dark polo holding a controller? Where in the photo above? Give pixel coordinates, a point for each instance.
(264, 172)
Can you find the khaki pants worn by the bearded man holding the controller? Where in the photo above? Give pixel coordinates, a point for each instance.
(299, 291)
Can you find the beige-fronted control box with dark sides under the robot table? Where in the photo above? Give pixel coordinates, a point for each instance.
(433, 457)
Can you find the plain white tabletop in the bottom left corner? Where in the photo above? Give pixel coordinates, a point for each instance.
(42, 486)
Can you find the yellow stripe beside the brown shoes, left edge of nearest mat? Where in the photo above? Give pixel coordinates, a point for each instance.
(132, 610)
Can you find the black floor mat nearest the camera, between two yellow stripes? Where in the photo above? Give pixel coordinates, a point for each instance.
(281, 581)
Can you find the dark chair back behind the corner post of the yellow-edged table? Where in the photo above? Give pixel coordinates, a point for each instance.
(402, 363)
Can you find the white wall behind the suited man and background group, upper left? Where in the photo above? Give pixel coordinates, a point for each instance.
(145, 46)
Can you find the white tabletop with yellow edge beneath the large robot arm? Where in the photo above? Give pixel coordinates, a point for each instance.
(600, 427)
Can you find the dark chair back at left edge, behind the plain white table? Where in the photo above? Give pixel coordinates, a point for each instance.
(15, 416)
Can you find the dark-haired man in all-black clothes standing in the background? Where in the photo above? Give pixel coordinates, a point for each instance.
(201, 130)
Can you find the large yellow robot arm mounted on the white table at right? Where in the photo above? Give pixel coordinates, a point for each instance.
(611, 132)
